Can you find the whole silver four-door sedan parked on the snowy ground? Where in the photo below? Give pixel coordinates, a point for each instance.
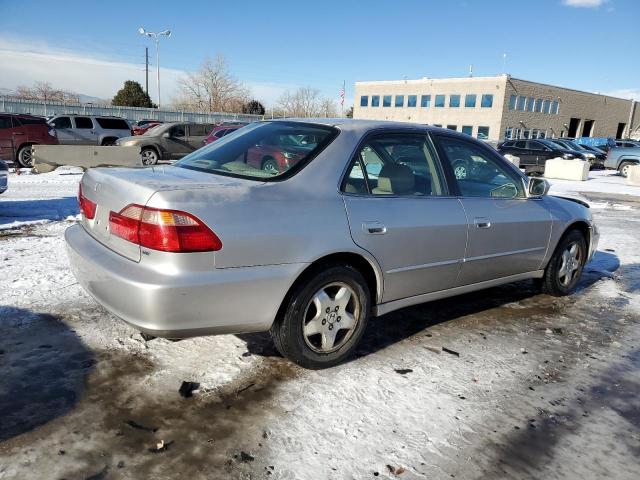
(368, 218)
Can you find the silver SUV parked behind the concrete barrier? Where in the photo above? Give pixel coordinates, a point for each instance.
(89, 130)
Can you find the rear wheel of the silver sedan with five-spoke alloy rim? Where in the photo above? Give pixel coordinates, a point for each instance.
(288, 330)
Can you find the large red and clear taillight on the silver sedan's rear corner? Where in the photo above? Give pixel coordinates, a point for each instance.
(165, 230)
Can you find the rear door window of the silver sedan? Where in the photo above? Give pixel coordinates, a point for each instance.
(395, 164)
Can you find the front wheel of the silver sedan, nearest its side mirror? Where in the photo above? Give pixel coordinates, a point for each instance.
(552, 282)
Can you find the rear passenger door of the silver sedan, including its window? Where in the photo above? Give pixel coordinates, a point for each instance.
(399, 210)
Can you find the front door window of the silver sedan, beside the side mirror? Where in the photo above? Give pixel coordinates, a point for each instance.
(478, 171)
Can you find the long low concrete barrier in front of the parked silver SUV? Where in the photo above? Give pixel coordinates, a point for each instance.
(49, 157)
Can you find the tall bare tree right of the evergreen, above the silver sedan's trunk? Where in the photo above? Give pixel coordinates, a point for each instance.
(212, 89)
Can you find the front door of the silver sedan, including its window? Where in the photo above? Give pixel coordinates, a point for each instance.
(508, 232)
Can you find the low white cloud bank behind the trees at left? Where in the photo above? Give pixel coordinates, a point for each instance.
(24, 63)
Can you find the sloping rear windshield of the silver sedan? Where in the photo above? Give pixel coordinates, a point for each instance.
(264, 150)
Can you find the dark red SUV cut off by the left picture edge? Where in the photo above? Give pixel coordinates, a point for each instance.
(18, 132)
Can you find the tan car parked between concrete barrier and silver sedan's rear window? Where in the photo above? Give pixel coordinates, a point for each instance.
(168, 141)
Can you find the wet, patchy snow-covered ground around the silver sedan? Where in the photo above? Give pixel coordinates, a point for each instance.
(503, 383)
